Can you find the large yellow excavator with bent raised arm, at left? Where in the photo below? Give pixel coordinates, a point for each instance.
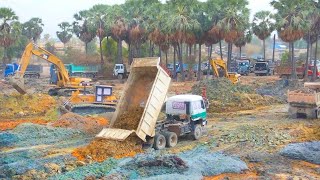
(65, 84)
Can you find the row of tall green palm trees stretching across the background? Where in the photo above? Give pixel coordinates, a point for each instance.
(177, 24)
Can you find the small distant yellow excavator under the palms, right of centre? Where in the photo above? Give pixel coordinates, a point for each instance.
(232, 76)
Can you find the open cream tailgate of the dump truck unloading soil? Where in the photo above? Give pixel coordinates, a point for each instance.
(114, 134)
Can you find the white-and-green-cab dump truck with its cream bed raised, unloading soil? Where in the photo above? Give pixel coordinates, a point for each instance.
(146, 88)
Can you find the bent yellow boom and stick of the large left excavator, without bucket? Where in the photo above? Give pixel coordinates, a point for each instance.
(33, 49)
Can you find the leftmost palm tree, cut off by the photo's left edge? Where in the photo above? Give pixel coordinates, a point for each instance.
(10, 28)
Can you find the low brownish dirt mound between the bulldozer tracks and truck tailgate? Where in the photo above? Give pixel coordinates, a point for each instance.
(90, 125)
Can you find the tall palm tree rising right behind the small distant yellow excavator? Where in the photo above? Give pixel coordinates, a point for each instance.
(234, 22)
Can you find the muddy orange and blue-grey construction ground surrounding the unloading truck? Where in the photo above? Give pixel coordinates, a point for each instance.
(249, 136)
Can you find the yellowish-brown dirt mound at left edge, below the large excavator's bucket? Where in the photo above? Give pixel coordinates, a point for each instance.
(17, 106)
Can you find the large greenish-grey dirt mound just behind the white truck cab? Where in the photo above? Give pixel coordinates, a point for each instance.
(225, 96)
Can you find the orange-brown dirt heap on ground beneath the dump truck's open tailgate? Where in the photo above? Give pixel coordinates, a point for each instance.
(100, 149)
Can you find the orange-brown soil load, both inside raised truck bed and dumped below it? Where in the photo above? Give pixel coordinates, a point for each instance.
(100, 149)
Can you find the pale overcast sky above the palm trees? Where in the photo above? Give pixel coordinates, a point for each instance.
(53, 12)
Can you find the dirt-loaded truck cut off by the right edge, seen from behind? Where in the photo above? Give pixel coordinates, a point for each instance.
(305, 102)
